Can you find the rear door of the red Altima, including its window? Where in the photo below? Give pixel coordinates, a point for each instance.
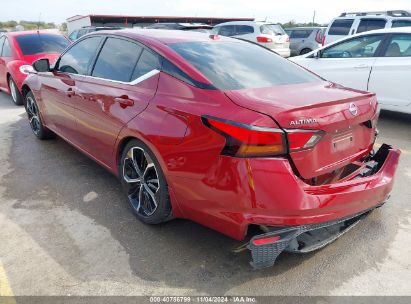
(123, 81)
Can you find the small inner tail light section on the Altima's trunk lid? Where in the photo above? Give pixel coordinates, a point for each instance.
(302, 139)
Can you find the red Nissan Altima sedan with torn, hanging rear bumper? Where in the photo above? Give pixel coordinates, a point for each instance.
(220, 131)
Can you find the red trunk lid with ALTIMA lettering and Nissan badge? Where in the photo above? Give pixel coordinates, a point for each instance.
(346, 117)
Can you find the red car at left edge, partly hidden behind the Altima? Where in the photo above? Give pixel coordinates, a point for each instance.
(18, 50)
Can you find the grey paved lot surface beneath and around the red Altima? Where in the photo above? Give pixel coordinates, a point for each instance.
(66, 229)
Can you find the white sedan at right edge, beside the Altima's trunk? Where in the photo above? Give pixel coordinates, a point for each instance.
(377, 61)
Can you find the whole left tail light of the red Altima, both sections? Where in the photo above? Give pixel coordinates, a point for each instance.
(251, 141)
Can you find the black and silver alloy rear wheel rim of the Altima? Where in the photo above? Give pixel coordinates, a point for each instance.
(140, 174)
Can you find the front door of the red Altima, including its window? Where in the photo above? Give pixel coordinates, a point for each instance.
(58, 92)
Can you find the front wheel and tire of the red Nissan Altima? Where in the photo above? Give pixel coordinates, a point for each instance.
(36, 123)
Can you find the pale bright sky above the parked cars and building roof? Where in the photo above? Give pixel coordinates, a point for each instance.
(278, 11)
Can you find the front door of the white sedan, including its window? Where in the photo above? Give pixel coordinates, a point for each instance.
(349, 62)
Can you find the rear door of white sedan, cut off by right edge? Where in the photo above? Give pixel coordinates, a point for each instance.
(391, 73)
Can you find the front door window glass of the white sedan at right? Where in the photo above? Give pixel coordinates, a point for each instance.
(364, 46)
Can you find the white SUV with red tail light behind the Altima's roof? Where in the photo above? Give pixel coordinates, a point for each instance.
(269, 35)
